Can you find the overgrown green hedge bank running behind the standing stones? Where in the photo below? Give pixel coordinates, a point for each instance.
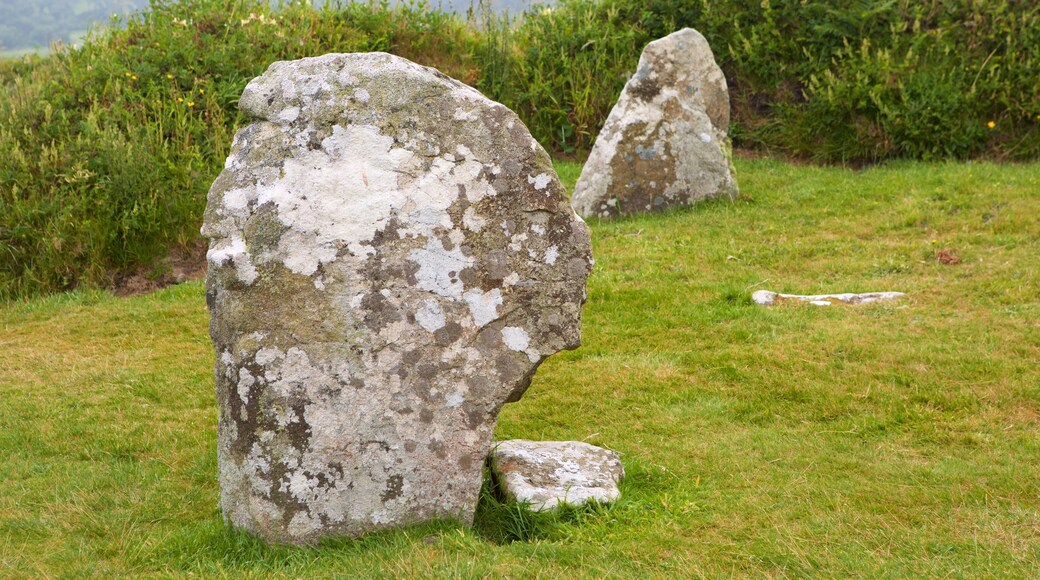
(107, 151)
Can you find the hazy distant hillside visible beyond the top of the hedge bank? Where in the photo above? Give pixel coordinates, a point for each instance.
(35, 24)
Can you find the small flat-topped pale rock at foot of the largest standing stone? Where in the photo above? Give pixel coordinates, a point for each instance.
(549, 473)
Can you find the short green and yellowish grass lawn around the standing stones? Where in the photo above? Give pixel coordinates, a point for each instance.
(887, 440)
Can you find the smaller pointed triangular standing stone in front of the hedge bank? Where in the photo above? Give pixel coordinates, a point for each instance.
(665, 143)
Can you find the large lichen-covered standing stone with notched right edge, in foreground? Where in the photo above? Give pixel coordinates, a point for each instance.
(392, 257)
